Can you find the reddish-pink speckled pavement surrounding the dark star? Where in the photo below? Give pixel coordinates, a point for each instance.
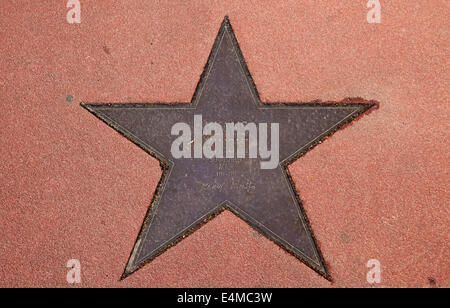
(73, 188)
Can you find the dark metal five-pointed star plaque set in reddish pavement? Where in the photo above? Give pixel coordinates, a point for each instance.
(195, 186)
